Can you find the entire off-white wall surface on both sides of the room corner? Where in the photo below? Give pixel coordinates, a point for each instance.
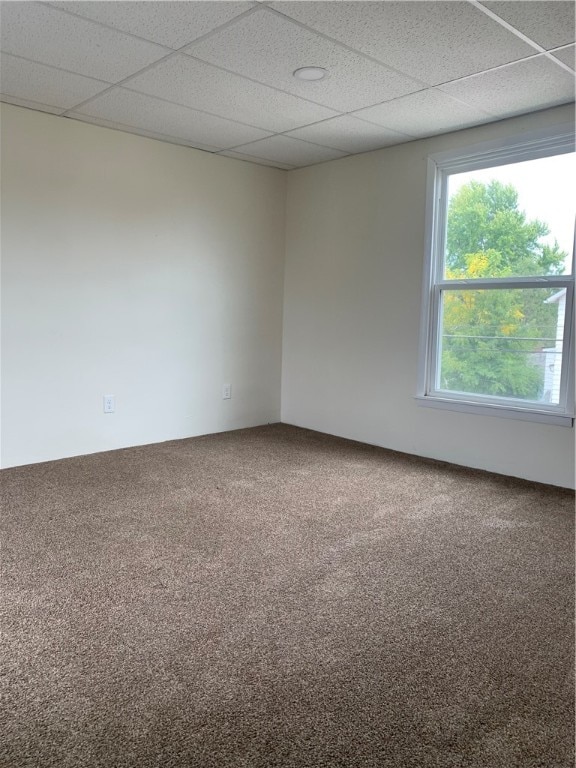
(155, 273)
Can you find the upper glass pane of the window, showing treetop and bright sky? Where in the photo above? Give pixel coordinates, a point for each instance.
(513, 220)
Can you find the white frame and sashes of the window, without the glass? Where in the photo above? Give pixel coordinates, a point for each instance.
(528, 146)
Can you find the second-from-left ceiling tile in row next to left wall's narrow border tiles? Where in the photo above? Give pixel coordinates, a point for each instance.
(137, 110)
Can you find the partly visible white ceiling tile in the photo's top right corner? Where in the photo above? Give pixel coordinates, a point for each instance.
(550, 23)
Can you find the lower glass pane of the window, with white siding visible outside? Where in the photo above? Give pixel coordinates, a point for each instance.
(502, 343)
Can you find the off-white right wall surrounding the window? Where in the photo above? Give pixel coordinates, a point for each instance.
(353, 282)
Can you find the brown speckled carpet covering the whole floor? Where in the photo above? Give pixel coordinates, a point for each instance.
(275, 597)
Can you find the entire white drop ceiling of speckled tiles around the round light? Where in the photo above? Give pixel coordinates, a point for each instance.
(218, 75)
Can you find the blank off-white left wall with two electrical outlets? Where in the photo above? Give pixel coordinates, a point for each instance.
(135, 268)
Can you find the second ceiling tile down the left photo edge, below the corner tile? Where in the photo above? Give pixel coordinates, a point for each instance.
(46, 85)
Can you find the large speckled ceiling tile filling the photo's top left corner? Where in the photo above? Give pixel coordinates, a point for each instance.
(49, 36)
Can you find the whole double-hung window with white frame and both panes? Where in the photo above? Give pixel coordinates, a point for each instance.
(496, 335)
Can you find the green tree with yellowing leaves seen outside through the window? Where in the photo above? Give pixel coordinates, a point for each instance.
(490, 337)
